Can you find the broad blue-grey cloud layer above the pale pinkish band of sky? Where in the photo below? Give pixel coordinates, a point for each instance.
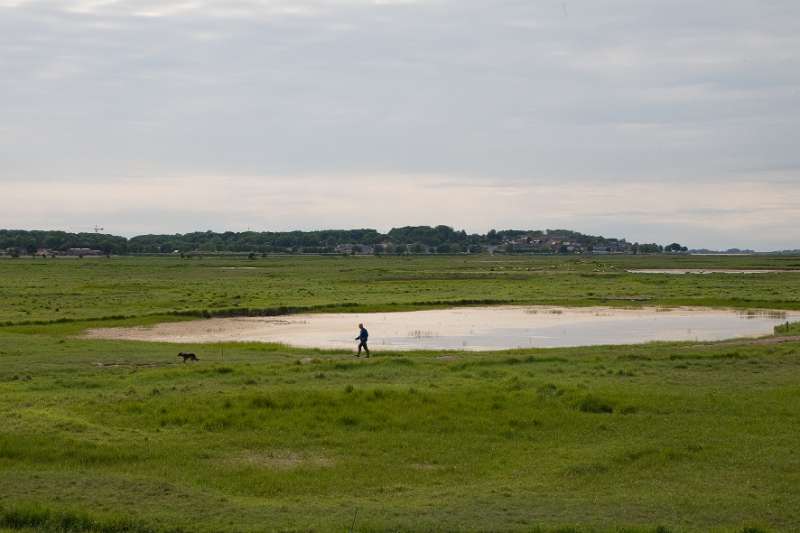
(507, 92)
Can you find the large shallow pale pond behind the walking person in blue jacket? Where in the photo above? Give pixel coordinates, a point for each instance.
(471, 328)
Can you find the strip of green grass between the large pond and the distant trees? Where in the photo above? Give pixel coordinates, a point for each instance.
(48, 290)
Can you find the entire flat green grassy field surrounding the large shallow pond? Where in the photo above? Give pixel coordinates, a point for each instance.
(120, 436)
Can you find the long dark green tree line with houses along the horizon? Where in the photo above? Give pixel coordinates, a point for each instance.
(407, 239)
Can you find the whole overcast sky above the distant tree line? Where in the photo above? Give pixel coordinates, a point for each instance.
(653, 120)
